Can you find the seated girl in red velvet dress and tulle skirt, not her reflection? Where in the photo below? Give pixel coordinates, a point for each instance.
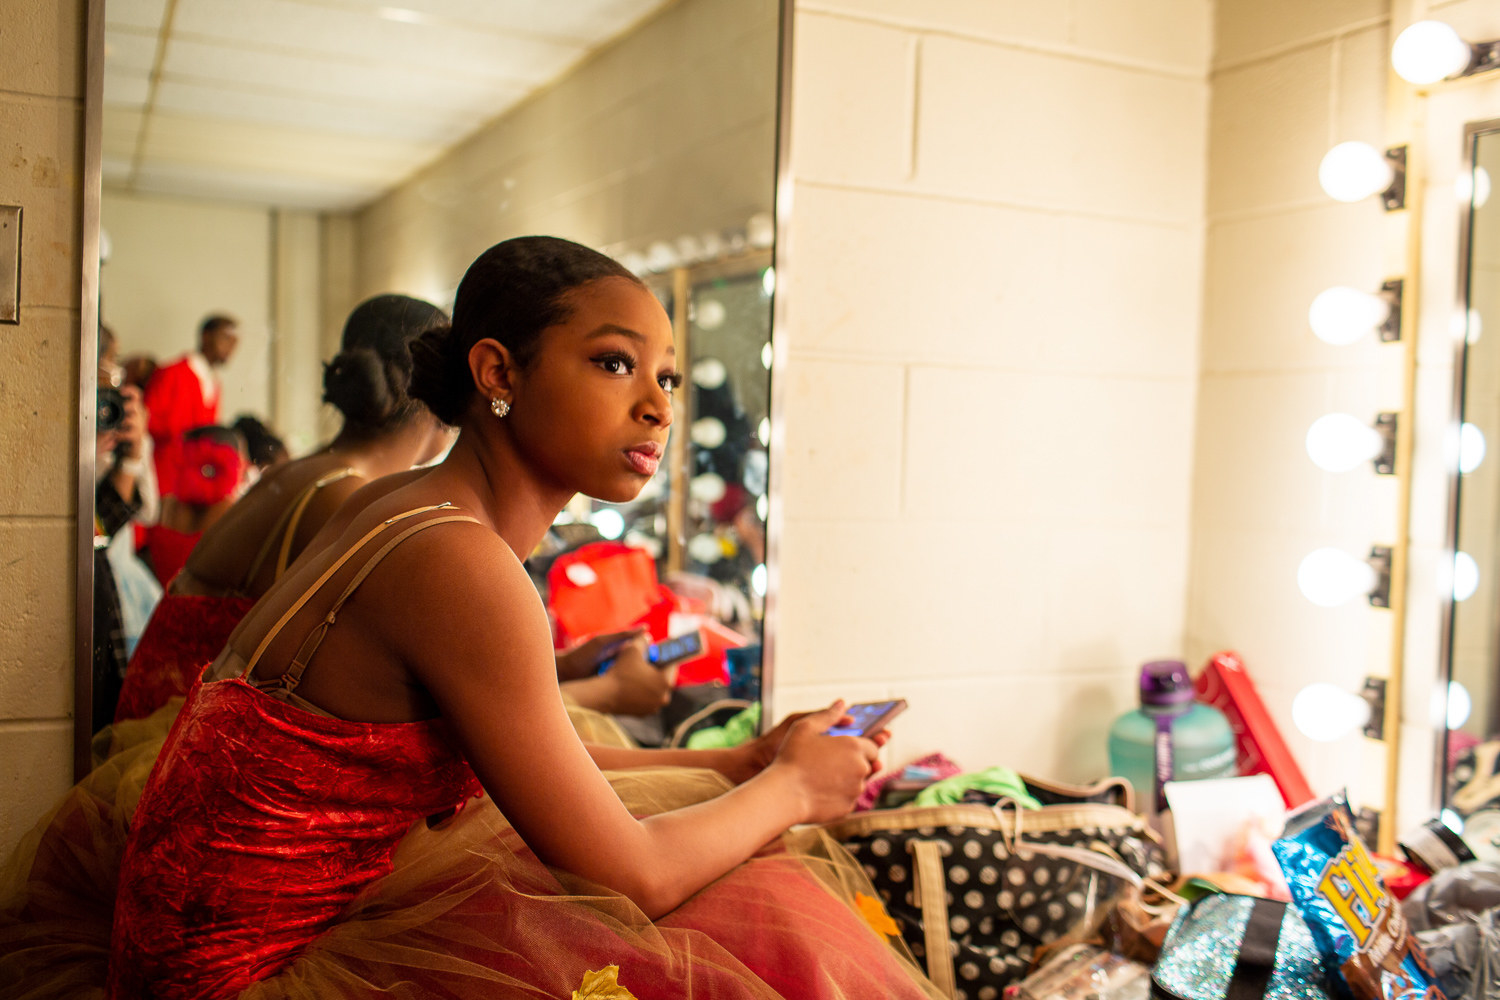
(311, 827)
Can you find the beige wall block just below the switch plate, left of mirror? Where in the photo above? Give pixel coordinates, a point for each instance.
(40, 388)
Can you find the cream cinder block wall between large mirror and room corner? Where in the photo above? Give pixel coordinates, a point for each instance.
(995, 274)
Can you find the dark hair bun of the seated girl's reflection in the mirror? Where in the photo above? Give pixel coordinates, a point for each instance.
(368, 379)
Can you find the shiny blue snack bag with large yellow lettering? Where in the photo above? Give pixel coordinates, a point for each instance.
(1357, 924)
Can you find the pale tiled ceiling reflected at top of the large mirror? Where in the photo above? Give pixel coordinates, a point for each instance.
(323, 104)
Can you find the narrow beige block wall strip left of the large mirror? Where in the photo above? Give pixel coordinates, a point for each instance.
(41, 119)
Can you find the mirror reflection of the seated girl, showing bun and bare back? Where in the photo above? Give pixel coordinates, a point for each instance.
(251, 546)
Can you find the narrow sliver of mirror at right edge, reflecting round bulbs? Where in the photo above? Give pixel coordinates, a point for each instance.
(1472, 788)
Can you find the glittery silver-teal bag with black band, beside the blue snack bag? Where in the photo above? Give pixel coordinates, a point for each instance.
(1240, 948)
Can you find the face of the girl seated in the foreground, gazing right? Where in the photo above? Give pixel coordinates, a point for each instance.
(593, 409)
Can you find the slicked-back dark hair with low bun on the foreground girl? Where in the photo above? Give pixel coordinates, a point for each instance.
(512, 293)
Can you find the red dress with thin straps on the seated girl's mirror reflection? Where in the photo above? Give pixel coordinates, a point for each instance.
(188, 630)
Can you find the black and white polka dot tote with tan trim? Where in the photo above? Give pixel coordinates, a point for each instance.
(977, 891)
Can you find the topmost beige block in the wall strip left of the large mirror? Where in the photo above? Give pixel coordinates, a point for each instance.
(44, 47)
